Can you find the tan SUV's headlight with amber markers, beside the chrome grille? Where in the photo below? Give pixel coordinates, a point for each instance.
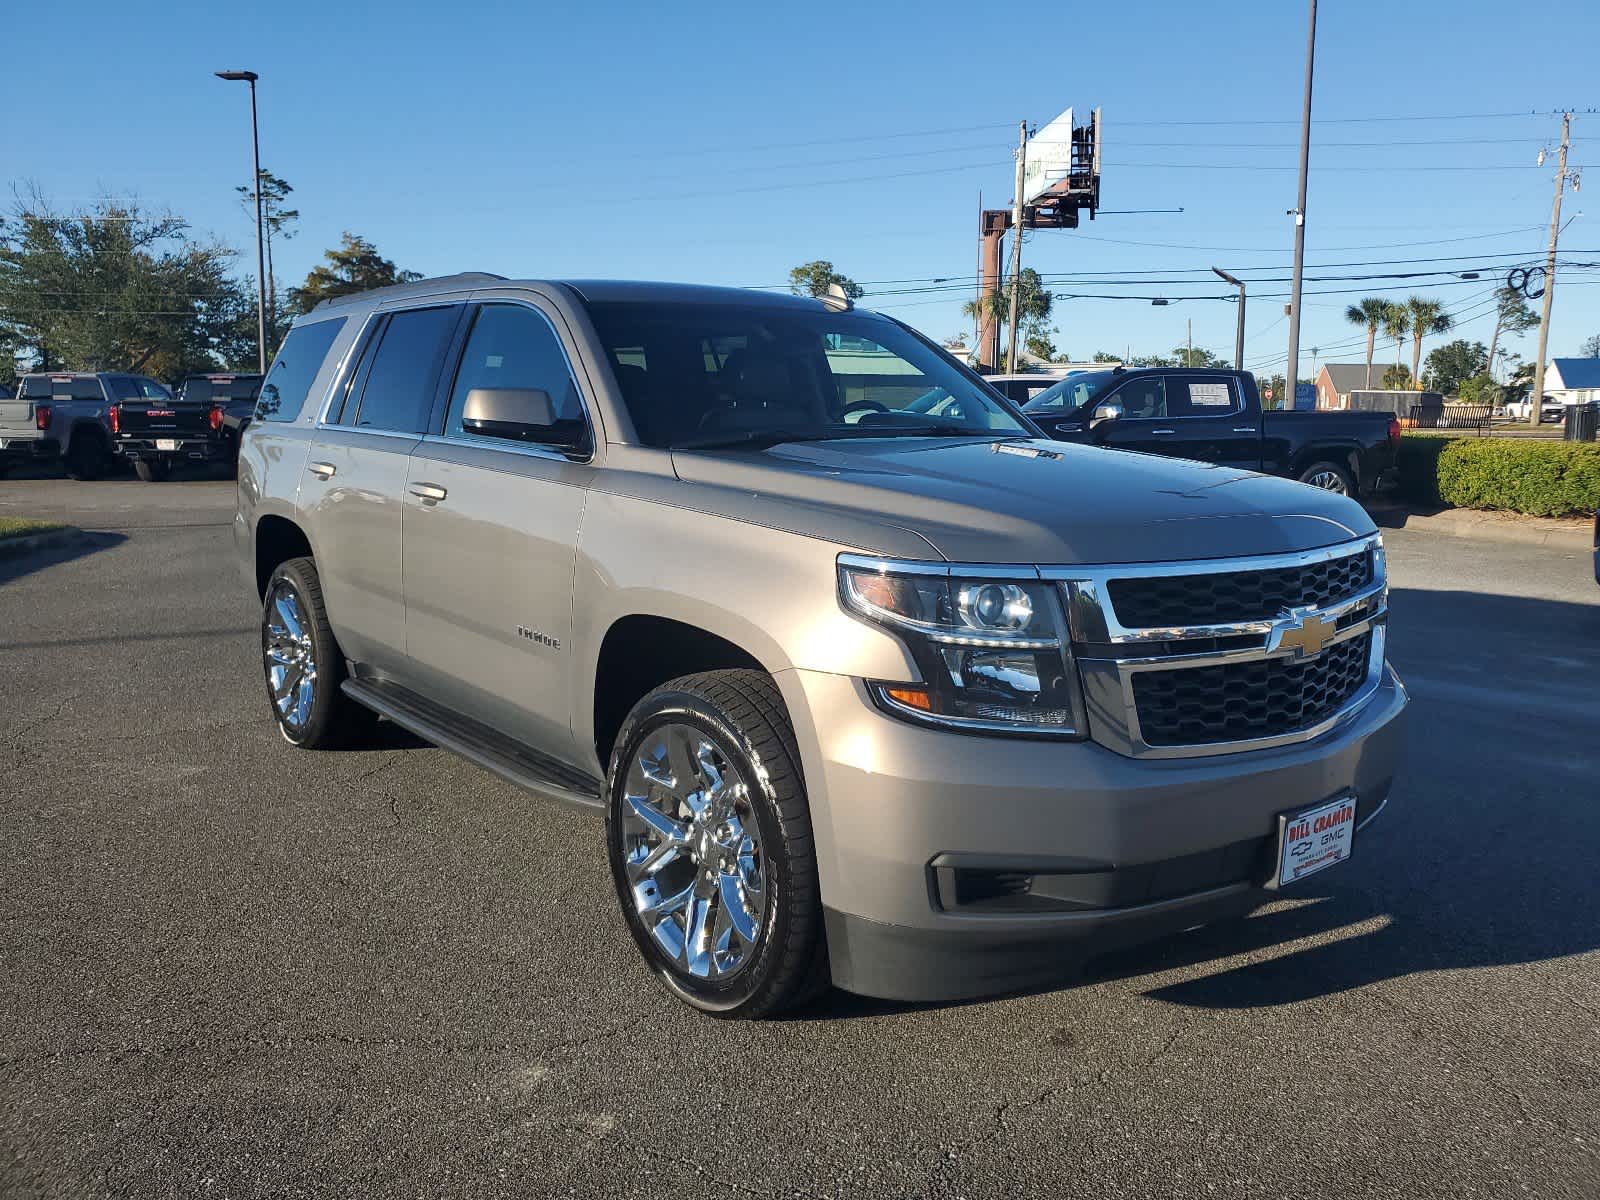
(993, 652)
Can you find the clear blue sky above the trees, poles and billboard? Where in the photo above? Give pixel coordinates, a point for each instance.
(729, 143)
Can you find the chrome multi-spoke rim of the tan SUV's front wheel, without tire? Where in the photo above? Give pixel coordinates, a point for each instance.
(692, 847)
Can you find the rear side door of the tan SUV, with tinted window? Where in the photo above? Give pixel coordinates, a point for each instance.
(356, 478)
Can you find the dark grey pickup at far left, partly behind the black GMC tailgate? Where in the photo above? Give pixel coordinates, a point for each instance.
(66, 417)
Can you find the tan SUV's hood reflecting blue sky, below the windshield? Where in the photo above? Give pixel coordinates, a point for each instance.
(1033, 502)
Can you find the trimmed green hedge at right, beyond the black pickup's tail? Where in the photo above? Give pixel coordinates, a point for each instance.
(1543, 479)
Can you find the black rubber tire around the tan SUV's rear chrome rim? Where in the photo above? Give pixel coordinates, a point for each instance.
(332, 719)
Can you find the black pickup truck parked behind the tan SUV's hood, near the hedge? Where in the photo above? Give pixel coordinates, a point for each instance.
(1217, 417)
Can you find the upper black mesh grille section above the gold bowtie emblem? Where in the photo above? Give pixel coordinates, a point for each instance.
(1162, 601)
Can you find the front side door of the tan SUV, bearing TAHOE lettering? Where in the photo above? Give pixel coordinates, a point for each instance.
(492, 537)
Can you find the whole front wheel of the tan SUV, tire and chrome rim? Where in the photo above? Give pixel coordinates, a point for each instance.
(710, 838)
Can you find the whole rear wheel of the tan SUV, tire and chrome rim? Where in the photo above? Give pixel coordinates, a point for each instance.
(303, 663)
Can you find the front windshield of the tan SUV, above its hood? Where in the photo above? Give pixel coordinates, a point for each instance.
(702, 375)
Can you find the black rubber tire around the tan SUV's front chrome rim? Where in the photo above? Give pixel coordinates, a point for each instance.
(745, 716)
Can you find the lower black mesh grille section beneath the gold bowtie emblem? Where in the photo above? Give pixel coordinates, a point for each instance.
(1242, 702)
